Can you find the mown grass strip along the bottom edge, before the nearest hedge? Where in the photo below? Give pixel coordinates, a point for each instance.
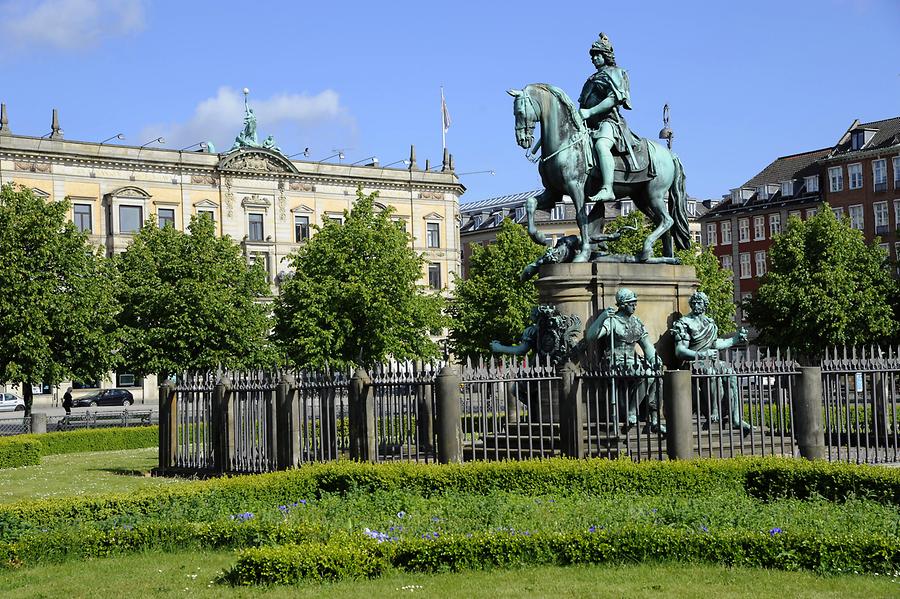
(193, 574)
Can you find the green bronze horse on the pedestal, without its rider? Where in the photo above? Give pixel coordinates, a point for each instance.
(566, 165)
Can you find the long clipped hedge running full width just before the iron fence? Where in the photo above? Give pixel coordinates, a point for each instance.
(768, 478)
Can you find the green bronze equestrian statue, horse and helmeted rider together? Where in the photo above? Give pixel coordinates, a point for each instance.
(573, 140)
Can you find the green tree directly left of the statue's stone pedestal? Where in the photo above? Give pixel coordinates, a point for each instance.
(492, 303)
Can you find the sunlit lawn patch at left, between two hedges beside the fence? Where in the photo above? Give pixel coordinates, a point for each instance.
(82, 474)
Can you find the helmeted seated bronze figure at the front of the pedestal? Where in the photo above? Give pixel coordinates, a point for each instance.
(617, 331)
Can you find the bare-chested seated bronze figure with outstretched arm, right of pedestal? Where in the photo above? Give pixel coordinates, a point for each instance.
(697, 339)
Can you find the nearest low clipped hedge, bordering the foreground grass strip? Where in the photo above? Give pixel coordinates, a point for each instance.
(333, 561)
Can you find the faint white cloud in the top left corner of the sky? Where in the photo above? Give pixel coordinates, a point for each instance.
(68, 24)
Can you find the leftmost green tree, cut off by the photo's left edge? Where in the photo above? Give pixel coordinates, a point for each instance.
(58, 308)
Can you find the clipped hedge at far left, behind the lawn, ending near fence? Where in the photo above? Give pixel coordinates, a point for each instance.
(18, 450)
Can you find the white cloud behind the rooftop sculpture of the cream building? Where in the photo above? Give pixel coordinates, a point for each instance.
(220, 118)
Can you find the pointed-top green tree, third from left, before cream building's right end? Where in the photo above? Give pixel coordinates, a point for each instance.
(354, 297)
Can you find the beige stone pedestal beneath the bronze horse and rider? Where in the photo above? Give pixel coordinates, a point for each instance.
(585, 289)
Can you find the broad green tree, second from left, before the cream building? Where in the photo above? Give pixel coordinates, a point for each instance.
(191, 302)
